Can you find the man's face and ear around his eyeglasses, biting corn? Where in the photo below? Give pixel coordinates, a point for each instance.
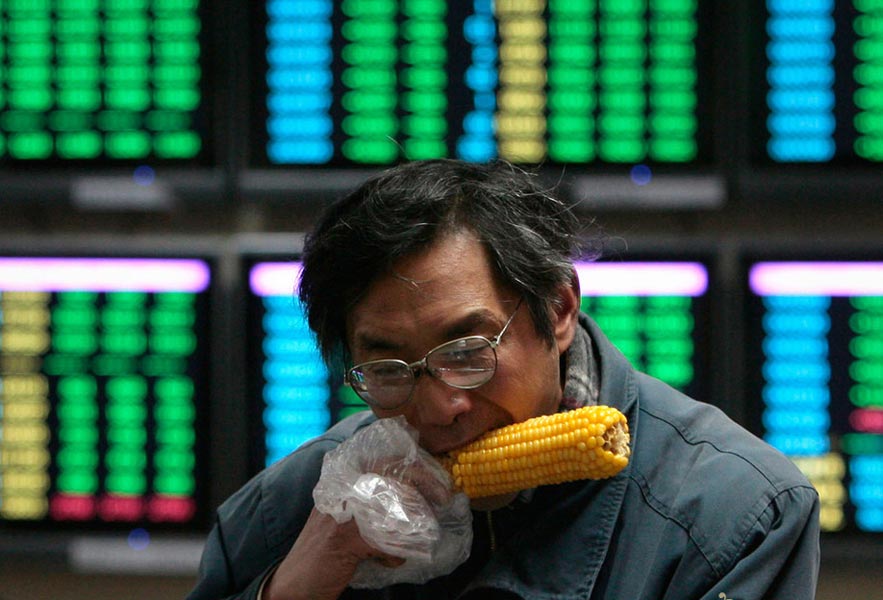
(446, 292)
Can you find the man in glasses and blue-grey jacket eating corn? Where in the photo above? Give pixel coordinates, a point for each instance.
(400, 271)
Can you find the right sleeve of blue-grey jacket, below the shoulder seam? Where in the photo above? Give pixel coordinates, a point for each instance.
(779, 556)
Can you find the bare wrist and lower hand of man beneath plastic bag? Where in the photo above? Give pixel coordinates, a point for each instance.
(322, 561)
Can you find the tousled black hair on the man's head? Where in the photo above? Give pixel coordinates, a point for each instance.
(532, 238)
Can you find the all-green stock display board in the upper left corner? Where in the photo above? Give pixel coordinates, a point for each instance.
(101, 81)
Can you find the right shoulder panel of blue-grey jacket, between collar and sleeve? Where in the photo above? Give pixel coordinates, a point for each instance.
(698, 468)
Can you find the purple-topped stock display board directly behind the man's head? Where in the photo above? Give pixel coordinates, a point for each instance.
(655, 312)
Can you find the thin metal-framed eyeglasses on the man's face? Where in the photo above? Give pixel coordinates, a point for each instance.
(465, 363)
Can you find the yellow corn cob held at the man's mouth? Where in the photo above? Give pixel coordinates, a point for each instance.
(587, 443)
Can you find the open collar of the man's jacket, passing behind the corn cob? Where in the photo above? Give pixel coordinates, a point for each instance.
(559, 553)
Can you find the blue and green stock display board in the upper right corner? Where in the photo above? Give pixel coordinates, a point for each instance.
(821, 89)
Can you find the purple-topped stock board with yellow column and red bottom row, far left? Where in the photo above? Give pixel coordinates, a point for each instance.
(103, 375)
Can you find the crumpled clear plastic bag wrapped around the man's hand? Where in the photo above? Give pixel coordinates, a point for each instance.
(402, 500)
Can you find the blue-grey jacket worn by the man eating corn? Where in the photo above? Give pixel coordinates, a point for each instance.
(704, 510)
